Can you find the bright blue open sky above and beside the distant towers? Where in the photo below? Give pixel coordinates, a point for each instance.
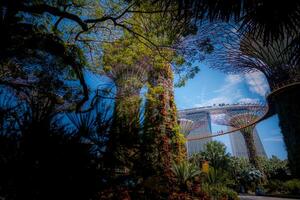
(210, 87)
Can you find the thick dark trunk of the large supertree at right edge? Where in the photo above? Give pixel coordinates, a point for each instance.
(287, 106)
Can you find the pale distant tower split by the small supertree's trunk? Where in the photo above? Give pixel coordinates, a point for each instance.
(238, 144)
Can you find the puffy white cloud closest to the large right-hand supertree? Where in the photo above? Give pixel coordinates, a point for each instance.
(257, 83)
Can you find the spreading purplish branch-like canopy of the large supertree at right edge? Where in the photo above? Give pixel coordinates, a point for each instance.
(242, 53)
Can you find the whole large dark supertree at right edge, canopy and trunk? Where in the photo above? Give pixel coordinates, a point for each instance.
(241, 52)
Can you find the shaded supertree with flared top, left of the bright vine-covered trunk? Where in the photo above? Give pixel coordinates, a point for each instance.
(126, 125)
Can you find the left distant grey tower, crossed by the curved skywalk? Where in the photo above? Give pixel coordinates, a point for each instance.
(201, 127)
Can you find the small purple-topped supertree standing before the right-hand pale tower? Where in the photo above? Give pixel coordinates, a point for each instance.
(244, 118)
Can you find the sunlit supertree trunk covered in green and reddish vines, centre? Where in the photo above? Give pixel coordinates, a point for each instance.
(162, 142)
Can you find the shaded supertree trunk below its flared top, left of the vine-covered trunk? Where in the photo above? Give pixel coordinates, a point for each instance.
(123, 144)
